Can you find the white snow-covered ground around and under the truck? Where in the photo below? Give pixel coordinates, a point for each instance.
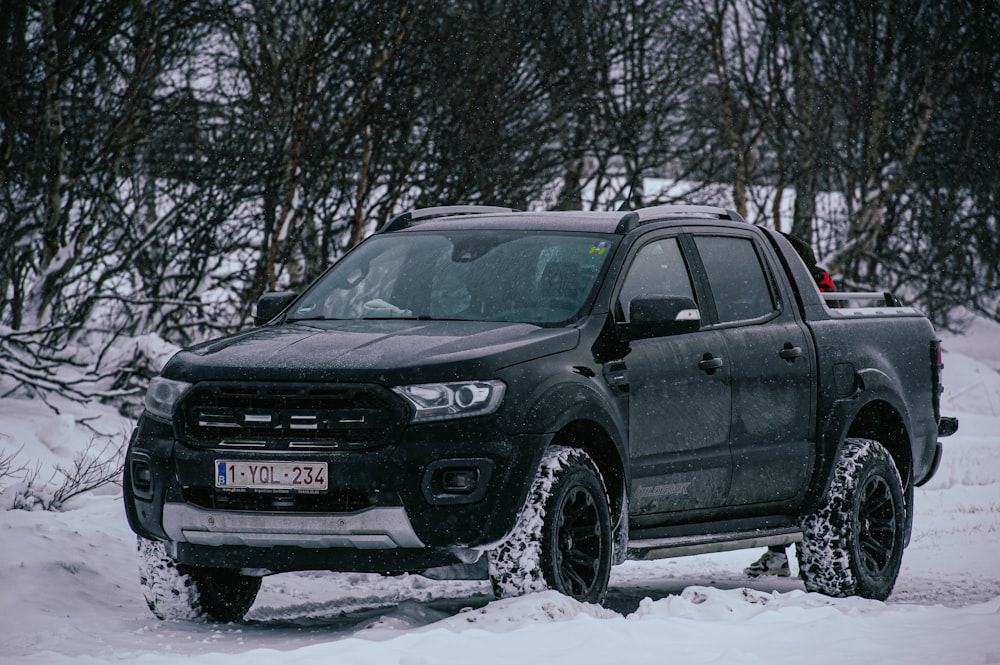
(69, 587)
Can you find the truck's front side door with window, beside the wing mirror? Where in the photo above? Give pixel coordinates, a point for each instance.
(679, 396)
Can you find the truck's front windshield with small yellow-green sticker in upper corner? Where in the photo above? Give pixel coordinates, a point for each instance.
(515, 276)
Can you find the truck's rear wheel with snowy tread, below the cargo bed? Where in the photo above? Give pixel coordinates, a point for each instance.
(853, 544)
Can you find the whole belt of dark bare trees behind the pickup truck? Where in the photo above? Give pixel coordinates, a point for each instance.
(162, 164)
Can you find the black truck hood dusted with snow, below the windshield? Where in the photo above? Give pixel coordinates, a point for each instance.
(391, 352)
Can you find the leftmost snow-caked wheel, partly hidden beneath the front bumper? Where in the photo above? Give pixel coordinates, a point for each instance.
(180, 592)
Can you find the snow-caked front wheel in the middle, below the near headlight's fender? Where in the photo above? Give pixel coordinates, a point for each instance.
(562, 539)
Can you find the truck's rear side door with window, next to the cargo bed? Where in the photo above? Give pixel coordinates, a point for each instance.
(771, 362)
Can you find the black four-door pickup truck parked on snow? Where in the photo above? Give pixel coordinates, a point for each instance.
(544, 394)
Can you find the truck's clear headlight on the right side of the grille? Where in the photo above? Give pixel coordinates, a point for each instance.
(440, 401)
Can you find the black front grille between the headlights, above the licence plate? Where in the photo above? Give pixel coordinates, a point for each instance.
(290, 416)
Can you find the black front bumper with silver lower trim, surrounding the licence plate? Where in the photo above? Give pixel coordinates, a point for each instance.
(394, 518)
